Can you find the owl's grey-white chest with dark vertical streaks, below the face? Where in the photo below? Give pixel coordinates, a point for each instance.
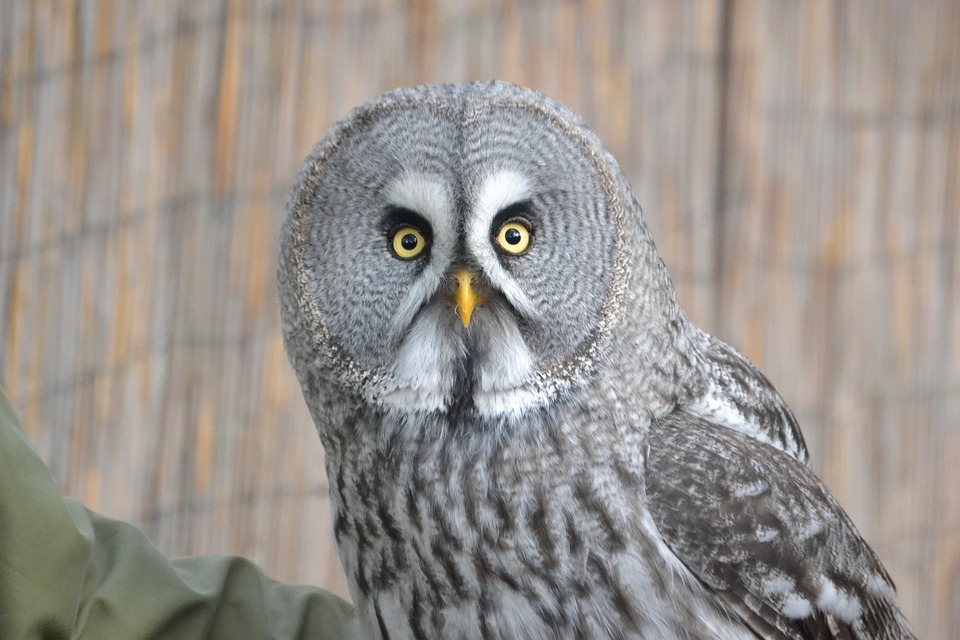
(488, 546)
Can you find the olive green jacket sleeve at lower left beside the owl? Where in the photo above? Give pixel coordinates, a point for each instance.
(66, 572)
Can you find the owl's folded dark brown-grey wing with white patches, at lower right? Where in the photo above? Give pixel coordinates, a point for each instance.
(761, 530)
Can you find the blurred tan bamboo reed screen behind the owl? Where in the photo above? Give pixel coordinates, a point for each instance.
(799, 164)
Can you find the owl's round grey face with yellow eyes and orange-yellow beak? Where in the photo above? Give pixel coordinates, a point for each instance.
(453, 251)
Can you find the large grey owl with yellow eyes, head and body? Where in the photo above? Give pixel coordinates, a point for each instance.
(525, 436)
